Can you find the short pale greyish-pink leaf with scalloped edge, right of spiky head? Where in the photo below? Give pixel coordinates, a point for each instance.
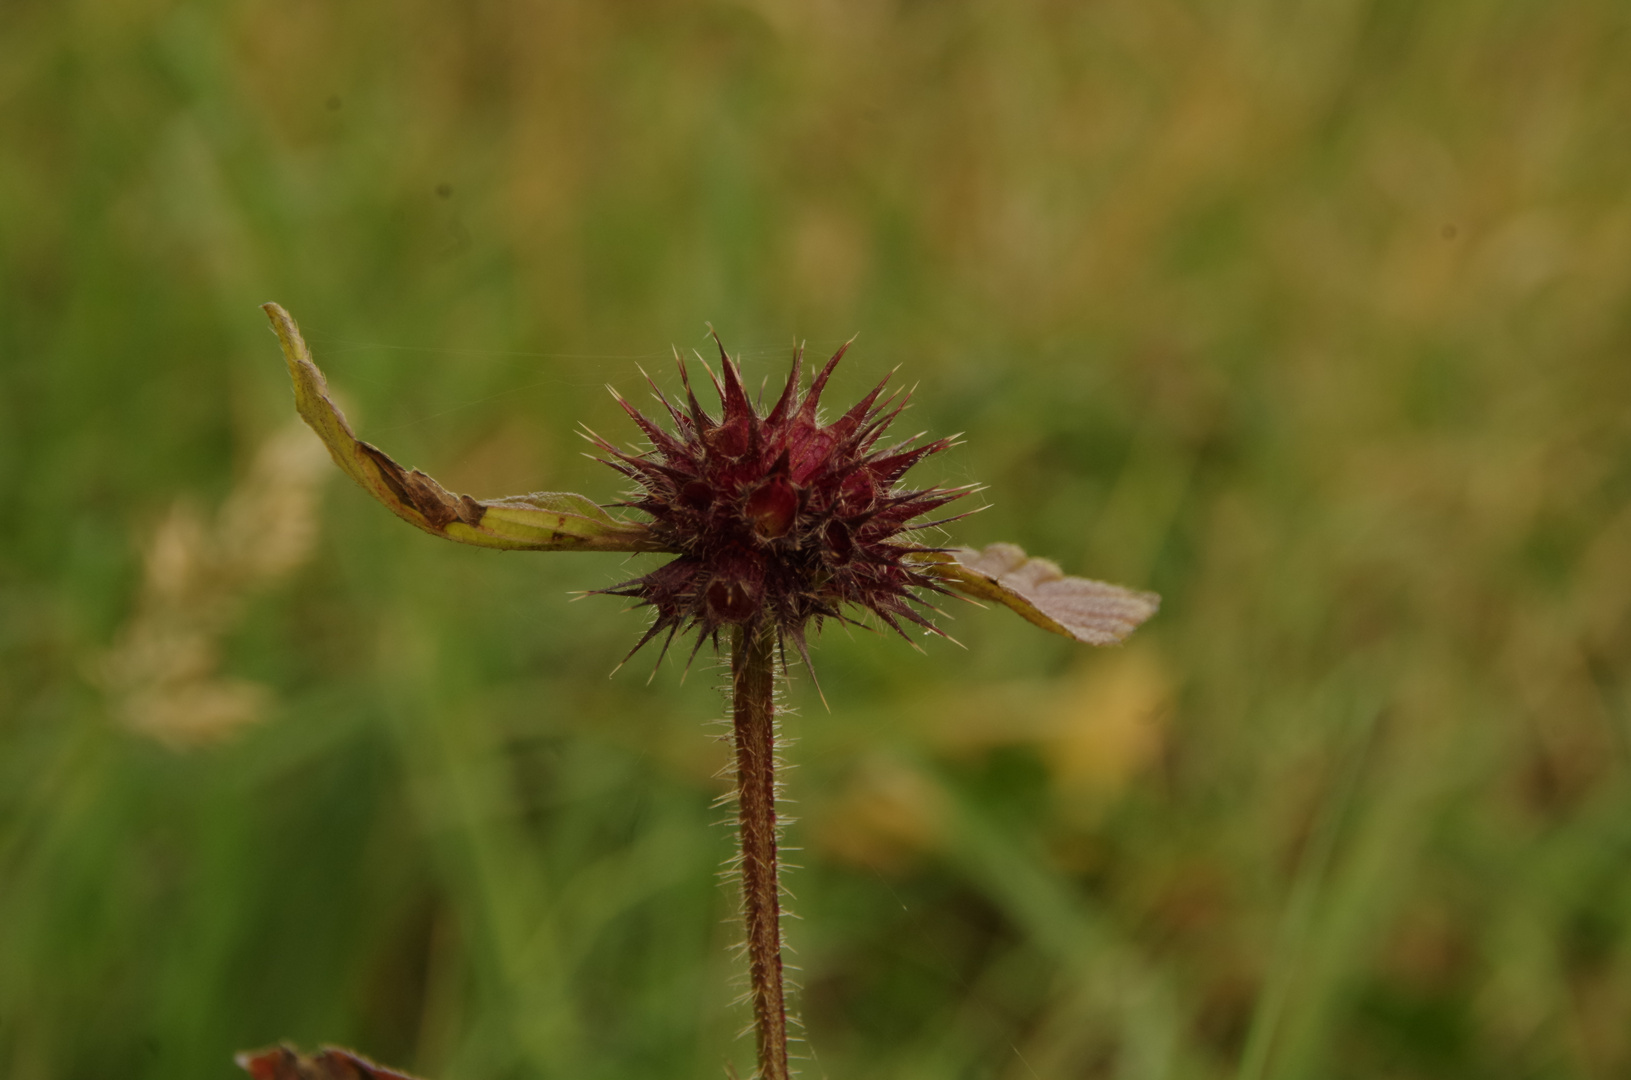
(1076, 608)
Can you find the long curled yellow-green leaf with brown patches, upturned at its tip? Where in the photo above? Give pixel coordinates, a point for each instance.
(544, 521)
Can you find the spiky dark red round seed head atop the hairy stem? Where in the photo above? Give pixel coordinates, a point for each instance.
(777, 516)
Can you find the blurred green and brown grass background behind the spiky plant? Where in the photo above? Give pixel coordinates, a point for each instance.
(1314, 317)
